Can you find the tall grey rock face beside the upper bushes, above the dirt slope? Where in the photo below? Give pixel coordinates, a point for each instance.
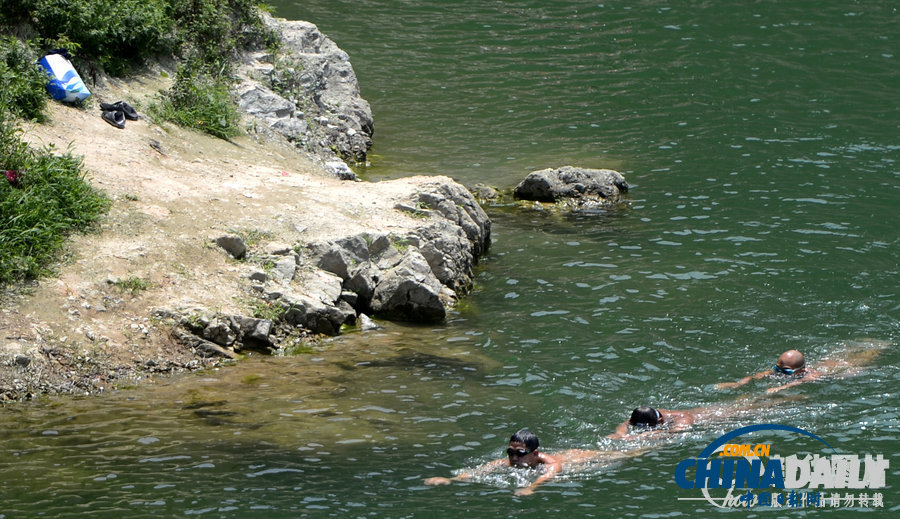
(307, 92)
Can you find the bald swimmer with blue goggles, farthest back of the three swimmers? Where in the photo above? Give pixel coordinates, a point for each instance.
(792, 363)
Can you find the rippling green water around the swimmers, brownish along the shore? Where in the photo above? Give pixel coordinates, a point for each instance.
(761, 146)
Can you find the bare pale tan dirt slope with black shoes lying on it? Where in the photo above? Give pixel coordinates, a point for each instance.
(173, 191)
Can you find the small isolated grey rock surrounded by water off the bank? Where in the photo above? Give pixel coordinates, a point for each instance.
(573, 187)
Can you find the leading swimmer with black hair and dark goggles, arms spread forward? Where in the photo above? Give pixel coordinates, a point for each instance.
(523, 453)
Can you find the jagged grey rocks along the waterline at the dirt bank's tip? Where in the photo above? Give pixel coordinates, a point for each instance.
(317, 288)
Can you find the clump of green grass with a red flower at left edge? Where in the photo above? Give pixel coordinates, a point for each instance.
(48, 200)
